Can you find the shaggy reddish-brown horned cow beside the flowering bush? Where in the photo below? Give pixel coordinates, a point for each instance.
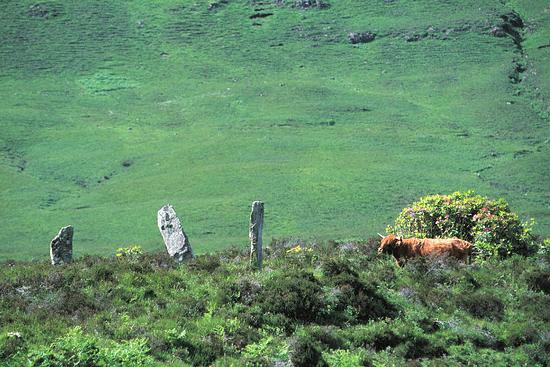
(406, 248)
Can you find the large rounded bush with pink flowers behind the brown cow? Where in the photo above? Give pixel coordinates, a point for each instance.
(489, 224)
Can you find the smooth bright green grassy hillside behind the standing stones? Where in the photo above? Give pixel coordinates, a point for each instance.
(110, 109)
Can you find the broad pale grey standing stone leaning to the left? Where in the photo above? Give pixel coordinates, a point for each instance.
(175, 239)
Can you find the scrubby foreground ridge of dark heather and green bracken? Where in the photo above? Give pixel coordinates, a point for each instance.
(315, 304)
